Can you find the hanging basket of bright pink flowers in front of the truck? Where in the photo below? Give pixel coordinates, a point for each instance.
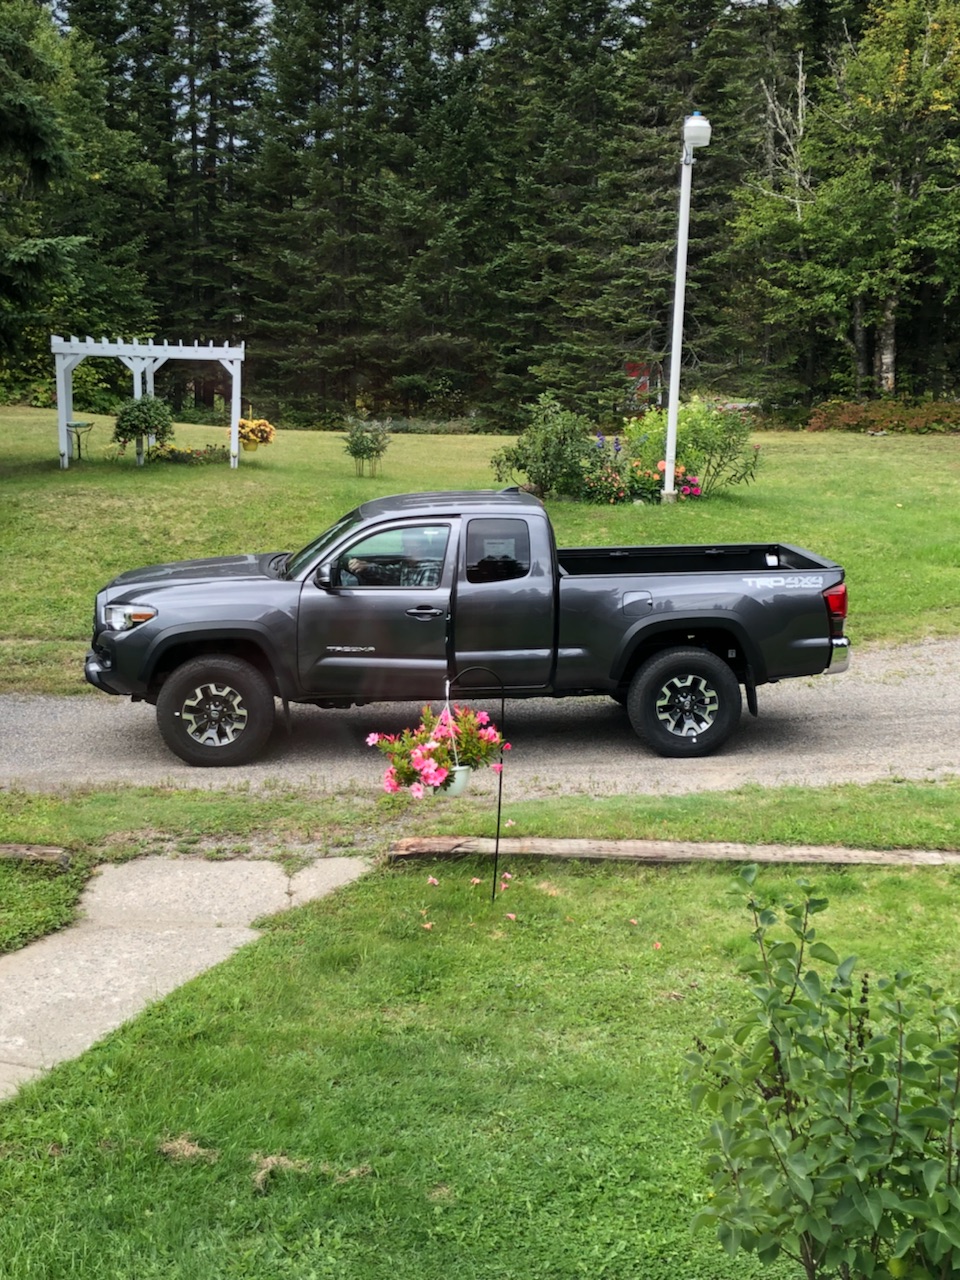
(441, 752)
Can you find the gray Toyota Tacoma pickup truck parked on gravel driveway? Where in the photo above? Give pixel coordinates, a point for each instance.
(408, 593)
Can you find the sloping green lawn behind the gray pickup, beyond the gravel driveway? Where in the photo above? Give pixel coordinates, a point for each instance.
(889, 510)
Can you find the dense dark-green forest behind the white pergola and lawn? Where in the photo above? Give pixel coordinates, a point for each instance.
(449, 208)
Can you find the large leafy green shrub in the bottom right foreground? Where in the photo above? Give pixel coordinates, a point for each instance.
(835, 1110)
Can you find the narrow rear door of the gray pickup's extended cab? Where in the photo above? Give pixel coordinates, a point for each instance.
(504, 612)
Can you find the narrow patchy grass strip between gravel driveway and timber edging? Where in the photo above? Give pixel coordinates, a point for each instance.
(100, 826)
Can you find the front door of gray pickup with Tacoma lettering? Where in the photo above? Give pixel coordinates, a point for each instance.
(378, 629)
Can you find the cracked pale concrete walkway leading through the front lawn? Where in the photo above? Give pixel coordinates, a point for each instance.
(147, 927)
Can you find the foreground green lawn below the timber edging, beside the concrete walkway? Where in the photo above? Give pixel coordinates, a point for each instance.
(412, 1081)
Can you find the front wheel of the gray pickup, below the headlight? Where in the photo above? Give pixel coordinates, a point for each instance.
(216, 711)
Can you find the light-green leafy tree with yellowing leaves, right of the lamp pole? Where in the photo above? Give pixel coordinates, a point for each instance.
(858, 232)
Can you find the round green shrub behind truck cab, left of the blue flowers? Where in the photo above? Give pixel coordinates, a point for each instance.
(552, 452)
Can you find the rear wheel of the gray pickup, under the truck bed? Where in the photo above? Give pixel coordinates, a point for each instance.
(684, 702)
